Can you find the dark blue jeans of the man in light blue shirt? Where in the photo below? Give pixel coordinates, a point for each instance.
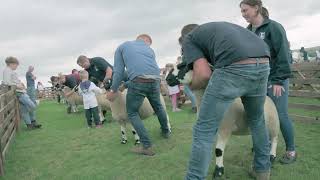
(135, 97)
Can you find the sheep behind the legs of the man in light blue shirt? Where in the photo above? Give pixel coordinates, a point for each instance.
(119, 113)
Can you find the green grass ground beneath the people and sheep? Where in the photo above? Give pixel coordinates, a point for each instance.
(66, 149)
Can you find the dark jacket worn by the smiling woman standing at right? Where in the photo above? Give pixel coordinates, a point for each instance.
(275, 36)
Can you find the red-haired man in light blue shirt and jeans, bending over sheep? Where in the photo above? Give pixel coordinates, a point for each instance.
(144, 81)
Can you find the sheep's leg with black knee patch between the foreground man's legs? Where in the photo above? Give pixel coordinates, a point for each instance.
(222, 140)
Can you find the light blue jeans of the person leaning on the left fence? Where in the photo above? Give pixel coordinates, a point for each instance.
(27, 108)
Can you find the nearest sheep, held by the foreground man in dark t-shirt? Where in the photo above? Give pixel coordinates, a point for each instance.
(235, 122)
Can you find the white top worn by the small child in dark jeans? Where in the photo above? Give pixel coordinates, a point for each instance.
(89, 96)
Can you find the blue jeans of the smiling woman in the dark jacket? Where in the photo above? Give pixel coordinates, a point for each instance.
(286, 125)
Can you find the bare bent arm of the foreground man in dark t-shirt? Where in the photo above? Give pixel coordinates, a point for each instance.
(201, 74)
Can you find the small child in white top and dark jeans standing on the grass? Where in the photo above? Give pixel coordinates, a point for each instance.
(87, 90)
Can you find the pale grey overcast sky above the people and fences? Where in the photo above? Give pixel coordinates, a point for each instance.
(51, 34)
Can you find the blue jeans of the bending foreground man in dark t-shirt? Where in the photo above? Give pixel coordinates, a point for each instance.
(248, 82)
